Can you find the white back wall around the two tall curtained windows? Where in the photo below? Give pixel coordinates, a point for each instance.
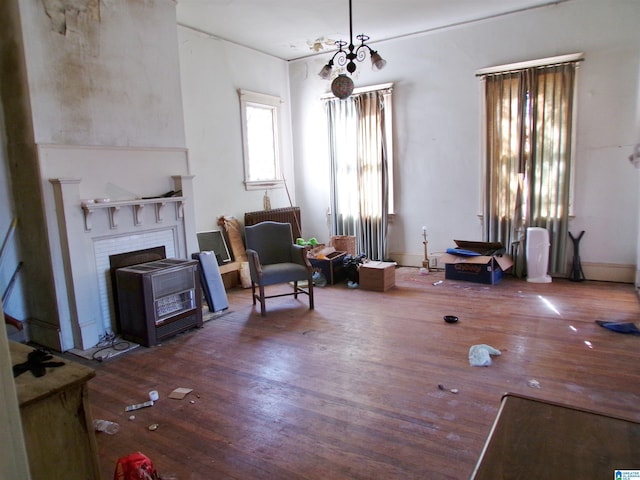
(437, 126)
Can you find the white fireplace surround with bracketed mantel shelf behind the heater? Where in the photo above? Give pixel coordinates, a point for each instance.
(89, 233)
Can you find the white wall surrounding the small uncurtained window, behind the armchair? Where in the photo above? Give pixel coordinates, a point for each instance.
(212, 71)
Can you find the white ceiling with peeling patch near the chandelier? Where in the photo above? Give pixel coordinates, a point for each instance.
(288, 29)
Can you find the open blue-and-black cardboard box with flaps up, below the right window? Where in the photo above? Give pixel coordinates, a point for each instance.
(486, 268)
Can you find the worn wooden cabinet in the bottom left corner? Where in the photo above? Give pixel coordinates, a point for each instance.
(56, 420)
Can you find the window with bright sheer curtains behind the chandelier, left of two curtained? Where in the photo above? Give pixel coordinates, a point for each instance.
(361, 151)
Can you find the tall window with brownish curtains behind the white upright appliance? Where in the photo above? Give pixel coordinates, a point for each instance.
(529, 114)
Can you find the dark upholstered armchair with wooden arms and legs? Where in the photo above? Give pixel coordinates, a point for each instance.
(273, 259)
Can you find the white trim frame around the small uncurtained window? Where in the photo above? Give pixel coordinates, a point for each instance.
(273, 103)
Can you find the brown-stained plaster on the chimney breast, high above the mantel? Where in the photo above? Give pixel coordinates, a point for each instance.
(111, 80)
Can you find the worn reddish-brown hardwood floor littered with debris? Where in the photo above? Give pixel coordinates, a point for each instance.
(350, 390)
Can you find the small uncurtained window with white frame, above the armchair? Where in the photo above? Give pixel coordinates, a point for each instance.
(261, 140)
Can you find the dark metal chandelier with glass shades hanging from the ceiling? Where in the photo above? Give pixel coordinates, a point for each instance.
(342, 85)
